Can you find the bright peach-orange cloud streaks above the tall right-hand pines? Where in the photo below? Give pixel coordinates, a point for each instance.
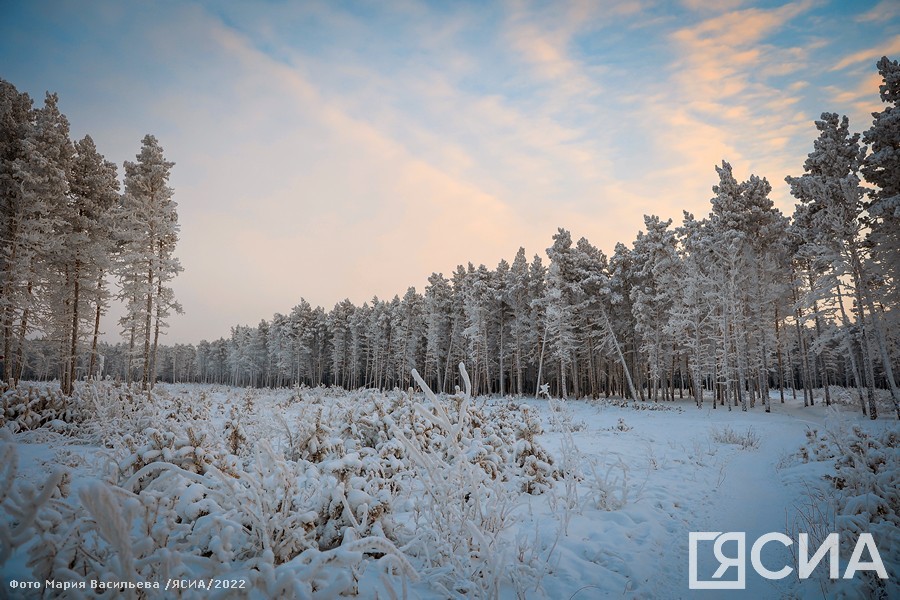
(719, 102)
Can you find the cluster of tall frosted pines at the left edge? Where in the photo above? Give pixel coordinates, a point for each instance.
(67, 229)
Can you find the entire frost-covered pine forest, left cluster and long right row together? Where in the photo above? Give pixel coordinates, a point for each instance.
(722, 308)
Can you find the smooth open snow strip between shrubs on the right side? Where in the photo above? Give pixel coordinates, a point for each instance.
(683, 481)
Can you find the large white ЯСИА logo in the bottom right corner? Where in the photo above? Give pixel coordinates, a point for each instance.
(806, 564)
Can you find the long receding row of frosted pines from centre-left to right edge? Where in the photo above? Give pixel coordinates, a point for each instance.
(735, 304)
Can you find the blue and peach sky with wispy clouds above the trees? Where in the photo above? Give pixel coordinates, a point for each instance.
(331, 150)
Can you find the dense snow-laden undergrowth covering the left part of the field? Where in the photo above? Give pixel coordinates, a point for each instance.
(296, 507)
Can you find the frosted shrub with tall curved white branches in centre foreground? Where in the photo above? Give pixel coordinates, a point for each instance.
(462, 505)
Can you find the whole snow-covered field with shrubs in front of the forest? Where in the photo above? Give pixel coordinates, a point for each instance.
(324, 493)
